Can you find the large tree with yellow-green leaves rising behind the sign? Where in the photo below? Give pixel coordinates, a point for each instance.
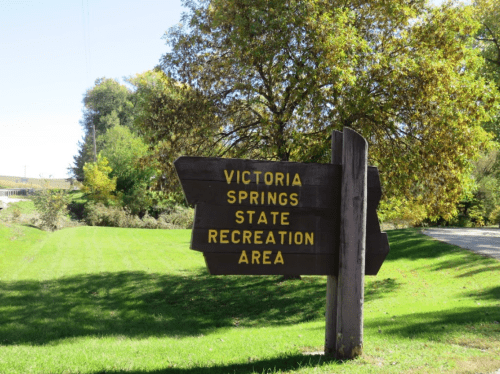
(279, 76)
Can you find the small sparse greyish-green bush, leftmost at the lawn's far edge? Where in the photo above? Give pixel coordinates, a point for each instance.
(52, 206)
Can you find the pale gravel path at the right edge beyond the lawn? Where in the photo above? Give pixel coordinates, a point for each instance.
(482, 241)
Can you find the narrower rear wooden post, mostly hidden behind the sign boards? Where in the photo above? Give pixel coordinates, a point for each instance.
(331, 280)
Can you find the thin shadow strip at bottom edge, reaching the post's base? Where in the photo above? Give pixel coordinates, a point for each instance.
(285, 363)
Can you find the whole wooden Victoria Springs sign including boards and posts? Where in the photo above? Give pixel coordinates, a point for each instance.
(261, 217)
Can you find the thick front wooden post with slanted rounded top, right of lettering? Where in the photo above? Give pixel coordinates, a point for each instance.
(350, 289)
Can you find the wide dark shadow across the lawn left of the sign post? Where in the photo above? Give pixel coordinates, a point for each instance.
(140, 304)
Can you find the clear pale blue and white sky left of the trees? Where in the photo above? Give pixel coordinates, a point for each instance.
(51, 52)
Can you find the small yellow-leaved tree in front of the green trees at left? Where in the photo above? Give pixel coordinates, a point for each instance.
(97, 183)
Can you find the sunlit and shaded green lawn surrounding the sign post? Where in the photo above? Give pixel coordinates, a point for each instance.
(110, 300)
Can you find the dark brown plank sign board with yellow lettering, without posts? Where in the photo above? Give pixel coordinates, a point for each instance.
(263, 217)
